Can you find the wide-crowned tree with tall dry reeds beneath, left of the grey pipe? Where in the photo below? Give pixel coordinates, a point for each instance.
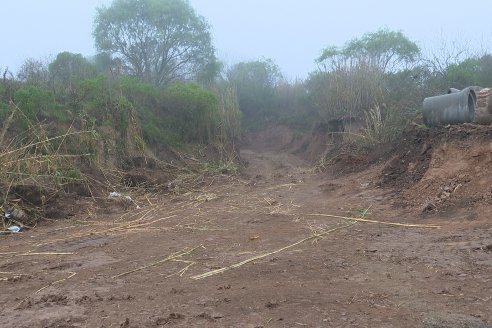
(354, 78)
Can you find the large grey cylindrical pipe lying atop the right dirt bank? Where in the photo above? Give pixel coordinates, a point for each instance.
(452, 108)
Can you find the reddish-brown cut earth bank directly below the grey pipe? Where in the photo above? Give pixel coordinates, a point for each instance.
(442, 169)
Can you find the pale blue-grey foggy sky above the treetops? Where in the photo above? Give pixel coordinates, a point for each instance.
(292, 33)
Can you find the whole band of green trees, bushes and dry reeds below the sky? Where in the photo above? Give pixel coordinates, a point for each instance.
(156, 83)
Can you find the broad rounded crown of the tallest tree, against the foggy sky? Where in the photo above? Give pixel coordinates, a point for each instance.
(157, 40)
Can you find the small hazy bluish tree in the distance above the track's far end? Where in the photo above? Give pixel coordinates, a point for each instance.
(255, 82)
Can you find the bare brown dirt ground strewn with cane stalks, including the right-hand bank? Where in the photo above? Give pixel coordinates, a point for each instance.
(285, 263)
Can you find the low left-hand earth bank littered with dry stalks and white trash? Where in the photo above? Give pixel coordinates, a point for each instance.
(35, 200)
